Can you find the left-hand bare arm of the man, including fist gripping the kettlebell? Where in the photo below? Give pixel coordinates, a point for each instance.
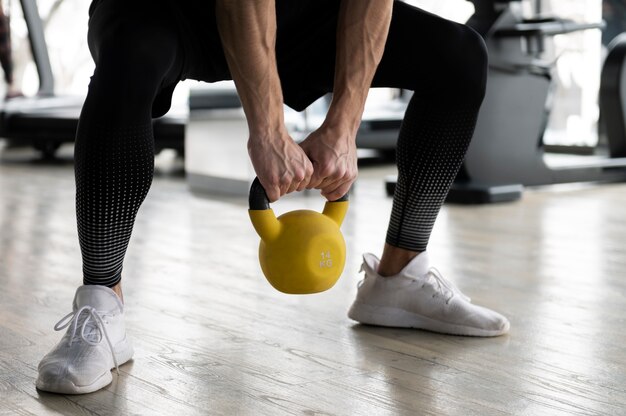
(248, 33)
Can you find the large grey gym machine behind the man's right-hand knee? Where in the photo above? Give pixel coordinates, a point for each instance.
(507, 151)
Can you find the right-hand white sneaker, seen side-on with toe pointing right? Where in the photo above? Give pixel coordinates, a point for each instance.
(419, 297)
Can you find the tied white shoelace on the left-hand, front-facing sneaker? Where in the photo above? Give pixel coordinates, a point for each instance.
(91, 320)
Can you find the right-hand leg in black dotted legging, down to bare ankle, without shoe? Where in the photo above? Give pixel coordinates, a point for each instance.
(448, 76)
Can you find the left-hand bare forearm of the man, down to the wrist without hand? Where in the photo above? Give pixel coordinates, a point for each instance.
(248, 33)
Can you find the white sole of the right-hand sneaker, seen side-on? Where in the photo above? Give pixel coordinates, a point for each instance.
(399, 318)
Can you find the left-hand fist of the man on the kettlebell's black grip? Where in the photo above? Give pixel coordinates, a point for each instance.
(280, 164)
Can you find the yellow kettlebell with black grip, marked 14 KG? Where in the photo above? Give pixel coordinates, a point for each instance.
(301, 251)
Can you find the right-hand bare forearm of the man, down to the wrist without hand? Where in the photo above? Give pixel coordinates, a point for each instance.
(361, 35)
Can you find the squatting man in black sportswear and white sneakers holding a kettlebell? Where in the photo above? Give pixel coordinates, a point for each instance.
(292, 52)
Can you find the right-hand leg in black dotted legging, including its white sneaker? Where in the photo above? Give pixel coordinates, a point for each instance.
(445, 65)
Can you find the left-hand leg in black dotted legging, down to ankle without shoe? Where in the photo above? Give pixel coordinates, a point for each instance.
(114, 151)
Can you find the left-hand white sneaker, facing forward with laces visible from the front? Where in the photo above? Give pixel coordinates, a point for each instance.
(95, 343)
